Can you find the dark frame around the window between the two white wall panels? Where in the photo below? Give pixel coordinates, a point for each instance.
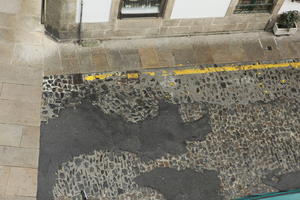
(141, 15)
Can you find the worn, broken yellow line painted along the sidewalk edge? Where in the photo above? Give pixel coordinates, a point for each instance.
(190, 71)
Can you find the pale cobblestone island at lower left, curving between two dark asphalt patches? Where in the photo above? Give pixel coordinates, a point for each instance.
(104, 175)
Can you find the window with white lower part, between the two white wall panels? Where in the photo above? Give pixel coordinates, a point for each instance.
(141, 8)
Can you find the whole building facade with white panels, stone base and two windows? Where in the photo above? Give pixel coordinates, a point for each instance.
(111, 19)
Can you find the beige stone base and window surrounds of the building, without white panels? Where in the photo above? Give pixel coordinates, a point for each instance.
(61, 14)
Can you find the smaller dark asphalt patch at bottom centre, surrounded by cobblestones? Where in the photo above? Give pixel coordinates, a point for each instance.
(182, 185)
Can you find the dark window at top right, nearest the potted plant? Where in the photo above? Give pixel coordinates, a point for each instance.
(254, 6)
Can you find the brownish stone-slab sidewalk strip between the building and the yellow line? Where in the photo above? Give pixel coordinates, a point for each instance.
(139, 54)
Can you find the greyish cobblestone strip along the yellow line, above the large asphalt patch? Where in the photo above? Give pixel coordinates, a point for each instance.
(137, 99)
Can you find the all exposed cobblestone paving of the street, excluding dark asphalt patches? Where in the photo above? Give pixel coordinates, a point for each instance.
(253, 117)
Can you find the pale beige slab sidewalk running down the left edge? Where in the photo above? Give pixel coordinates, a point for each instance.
(21, 71)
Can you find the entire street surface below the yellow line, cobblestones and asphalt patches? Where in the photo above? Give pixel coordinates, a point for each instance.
(229, 133)
